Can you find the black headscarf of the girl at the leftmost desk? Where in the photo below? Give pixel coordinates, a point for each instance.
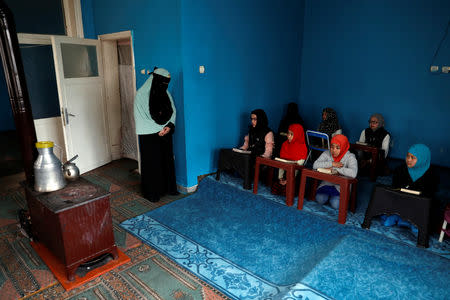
(257, 134)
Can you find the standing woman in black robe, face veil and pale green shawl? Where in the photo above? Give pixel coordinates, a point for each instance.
(154, 113)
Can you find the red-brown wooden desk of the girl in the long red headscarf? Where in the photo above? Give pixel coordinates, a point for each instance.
(290, 175)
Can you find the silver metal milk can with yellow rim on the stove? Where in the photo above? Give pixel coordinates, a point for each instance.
(48, 175)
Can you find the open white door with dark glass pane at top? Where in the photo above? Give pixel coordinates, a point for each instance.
(79, 76)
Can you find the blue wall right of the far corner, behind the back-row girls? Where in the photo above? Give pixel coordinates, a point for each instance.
(367, 56)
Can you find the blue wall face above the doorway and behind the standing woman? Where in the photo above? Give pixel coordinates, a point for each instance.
(155, 27)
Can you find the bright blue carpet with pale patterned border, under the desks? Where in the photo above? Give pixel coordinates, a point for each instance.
(253, 248)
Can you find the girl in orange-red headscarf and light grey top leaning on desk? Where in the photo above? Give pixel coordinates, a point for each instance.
(337, 159)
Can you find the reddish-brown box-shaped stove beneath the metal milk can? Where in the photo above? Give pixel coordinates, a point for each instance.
(74, 223)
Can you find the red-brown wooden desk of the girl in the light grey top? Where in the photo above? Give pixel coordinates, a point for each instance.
(344, 183)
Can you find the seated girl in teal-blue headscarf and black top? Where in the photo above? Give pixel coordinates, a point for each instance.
(415, 175)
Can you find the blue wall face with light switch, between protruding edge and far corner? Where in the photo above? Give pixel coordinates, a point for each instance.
(251, 53)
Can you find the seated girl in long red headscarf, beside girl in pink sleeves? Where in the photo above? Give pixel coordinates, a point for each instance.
(294, 149)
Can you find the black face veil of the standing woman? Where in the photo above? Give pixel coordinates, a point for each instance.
(159, 103)
